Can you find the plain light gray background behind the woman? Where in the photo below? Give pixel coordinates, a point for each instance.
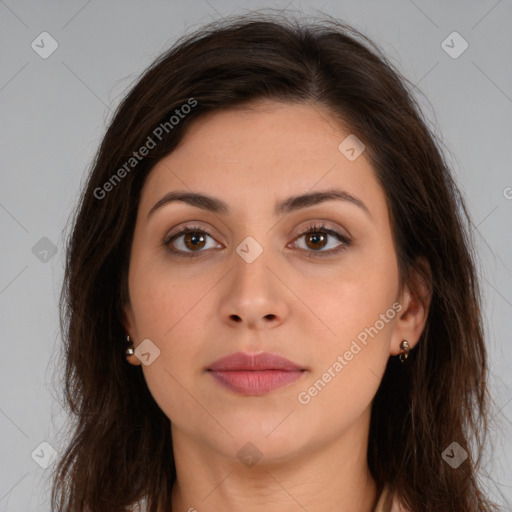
(54, 113)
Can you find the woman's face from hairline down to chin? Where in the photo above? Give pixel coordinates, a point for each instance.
(251, 279)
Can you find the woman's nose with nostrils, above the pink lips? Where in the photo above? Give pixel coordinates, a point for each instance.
(254, 296)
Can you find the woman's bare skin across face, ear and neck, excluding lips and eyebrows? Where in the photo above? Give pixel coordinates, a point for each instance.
(289, 300)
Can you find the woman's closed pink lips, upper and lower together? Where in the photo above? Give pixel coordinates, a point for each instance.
(254, 374)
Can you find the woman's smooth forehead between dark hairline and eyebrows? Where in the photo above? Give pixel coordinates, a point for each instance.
(262, 154)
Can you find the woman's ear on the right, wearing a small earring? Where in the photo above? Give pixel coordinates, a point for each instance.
(415, 299)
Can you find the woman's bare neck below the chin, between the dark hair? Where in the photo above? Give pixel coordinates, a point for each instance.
(322, 477)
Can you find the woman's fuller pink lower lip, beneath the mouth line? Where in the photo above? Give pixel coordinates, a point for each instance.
(255, 382)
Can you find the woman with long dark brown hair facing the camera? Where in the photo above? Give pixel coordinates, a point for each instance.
(270, 300)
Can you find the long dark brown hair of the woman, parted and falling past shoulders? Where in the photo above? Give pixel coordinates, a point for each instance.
(121, 448)
